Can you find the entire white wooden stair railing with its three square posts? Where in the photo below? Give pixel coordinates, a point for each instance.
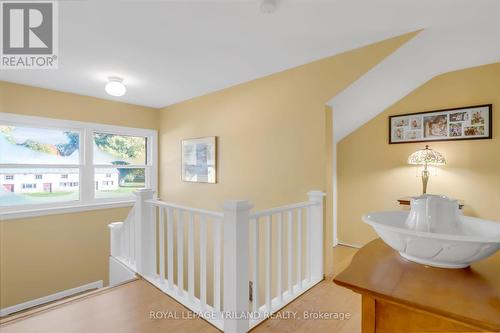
(158, 240)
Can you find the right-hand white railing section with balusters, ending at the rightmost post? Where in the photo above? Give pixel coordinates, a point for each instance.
(298, 228)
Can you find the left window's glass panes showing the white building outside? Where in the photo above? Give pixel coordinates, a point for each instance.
(39, 149)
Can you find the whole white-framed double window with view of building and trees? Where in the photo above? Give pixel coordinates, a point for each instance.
(81, 164)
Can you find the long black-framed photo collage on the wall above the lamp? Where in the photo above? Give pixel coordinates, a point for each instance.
(466, 123)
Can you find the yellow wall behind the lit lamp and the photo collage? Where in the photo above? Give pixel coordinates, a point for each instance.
(372, 174)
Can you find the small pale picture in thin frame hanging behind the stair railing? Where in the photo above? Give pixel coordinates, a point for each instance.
(199, 158)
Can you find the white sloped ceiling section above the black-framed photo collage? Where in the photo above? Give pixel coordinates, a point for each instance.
(434, 51)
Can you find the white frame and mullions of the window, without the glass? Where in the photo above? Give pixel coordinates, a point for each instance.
(86, 167)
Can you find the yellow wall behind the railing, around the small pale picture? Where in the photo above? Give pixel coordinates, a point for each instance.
(272, 134)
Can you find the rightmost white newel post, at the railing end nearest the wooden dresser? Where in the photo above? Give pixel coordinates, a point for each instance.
(316, 240)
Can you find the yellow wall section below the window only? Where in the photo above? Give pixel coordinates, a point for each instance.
(44, 255)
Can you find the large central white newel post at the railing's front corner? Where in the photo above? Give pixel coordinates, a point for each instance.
(236, 259)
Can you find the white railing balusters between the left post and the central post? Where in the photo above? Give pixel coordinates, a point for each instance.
(170, 252)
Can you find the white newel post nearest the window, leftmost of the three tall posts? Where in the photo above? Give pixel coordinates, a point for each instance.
(145, 252)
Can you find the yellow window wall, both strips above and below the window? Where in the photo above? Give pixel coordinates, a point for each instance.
(44, 255)
